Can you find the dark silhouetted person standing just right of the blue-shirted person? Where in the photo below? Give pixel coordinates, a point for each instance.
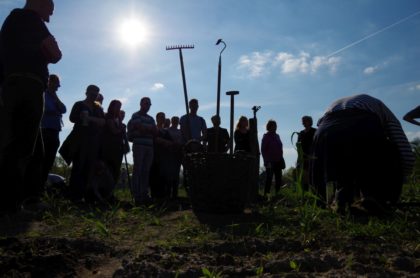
(81, 147)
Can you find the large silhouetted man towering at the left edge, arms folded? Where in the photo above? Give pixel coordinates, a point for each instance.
(26, 49)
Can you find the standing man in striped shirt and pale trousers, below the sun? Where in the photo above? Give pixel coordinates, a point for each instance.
(141, 131)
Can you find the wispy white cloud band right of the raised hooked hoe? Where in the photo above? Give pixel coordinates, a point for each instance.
(258, 64)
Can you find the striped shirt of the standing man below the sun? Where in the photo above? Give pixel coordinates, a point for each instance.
(137, 137)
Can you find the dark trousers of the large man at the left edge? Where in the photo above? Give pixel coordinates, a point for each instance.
(20, 118)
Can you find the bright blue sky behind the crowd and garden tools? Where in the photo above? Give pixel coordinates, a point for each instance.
(278, 55)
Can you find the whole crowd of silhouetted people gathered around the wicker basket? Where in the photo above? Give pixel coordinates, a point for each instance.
(359, 146)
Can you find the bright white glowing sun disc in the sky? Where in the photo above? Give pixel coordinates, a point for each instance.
(133, 32)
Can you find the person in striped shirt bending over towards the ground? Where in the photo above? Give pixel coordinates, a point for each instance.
(361, 149)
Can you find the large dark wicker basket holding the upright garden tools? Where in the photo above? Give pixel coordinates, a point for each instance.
(219, 183)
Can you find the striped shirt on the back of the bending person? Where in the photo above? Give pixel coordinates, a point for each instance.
(392, 126)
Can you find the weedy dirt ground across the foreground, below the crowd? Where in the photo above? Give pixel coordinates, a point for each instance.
(288, 234)
